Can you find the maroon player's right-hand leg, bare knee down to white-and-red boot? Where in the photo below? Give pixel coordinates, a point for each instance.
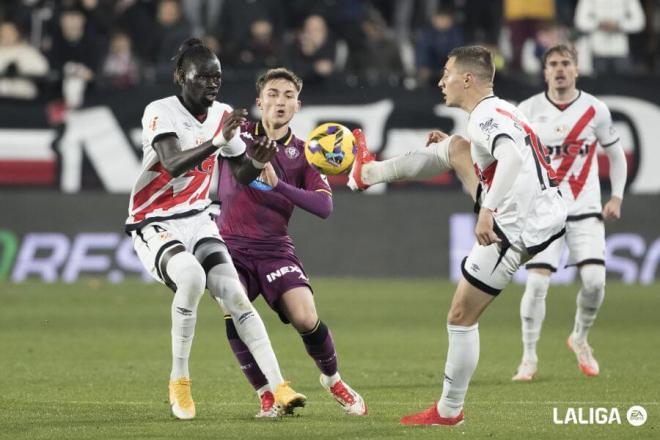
(298, 306)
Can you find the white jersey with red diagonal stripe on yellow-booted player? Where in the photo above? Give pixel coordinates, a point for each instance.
(156, 195)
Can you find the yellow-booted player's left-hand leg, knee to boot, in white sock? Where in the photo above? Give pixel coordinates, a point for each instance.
(188, 276)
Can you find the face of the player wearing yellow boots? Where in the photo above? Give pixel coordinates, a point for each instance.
(202, 81)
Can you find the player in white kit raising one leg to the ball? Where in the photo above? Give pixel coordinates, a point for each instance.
(520, 213)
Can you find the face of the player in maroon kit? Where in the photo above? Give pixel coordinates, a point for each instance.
(278, 102)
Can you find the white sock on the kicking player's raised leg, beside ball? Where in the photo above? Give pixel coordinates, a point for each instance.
(420, 164)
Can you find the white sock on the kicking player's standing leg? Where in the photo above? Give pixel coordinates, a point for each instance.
(462, 358)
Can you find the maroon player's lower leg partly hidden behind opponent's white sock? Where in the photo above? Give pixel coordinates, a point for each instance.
(251, 371)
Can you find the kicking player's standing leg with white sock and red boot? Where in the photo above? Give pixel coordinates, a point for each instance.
(462, 357)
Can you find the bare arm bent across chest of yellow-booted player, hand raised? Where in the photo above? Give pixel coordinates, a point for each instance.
(177, 161)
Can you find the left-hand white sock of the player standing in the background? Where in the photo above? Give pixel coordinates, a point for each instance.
(532, 312)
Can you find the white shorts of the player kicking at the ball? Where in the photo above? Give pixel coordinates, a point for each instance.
(491, 270)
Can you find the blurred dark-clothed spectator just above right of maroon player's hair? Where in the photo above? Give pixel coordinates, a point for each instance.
(312, 54)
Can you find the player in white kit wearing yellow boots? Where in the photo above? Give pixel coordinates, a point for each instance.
(171, 222)
